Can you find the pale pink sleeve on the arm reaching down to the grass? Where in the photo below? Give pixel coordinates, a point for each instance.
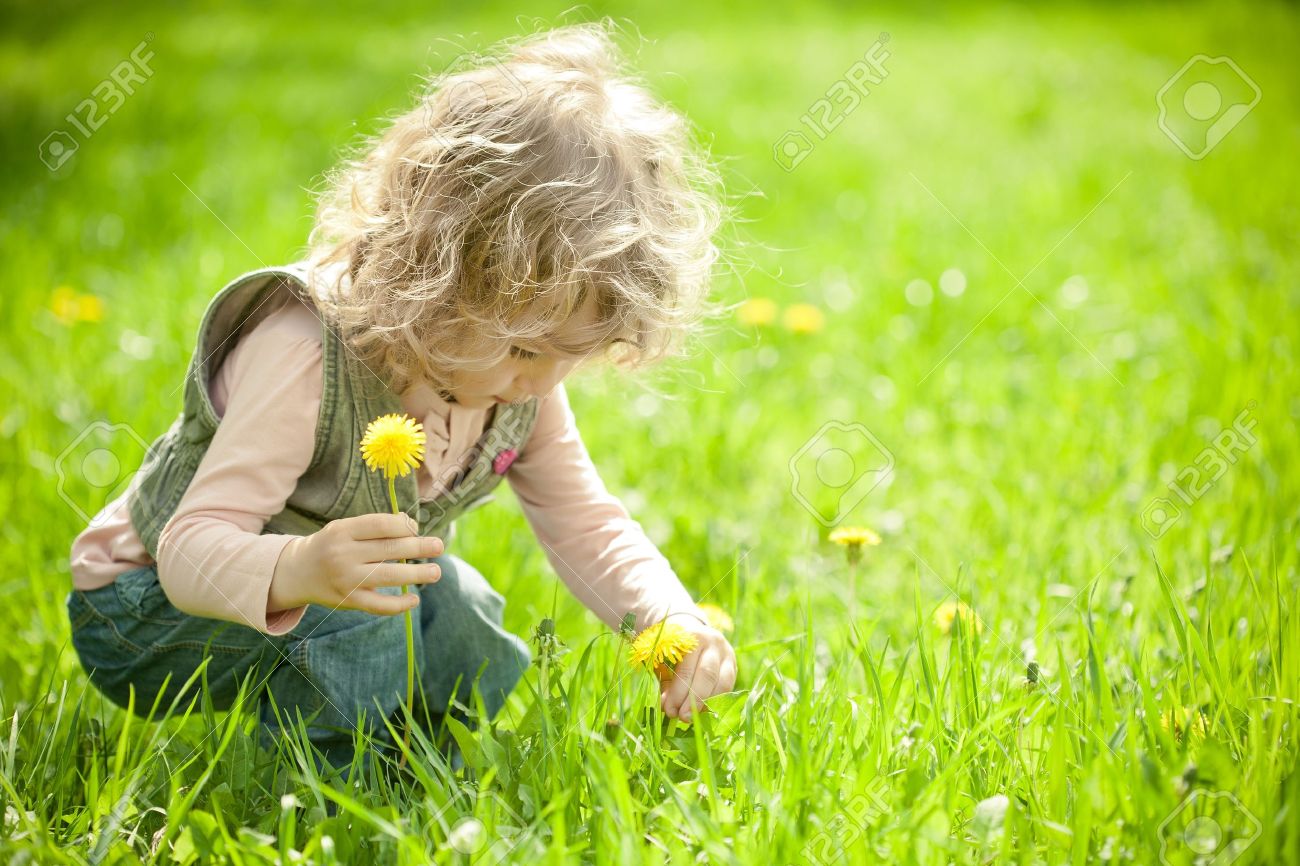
(599, 551)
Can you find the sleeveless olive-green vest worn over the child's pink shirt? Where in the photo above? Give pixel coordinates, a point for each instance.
(337, 483)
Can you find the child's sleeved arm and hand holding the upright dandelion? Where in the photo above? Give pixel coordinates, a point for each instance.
(213, 560)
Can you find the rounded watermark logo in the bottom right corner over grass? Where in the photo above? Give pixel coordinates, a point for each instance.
(1208, 829)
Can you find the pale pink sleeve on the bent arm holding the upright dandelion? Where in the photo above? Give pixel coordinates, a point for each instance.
(213, 558)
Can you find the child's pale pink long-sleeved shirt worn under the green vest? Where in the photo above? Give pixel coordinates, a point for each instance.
(215, 562)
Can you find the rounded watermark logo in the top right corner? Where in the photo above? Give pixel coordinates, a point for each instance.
(1203, 102)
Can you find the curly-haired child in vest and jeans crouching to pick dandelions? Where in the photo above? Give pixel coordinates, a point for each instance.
(528, 214)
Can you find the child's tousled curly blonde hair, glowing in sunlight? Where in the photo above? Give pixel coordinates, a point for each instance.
(517, 188)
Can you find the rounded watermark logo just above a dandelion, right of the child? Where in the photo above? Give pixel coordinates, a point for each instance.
(837, 469)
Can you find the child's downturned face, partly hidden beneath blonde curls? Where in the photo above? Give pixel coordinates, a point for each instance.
(528, 371)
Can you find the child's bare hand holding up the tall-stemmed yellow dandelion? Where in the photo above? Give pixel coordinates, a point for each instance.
(341, 565)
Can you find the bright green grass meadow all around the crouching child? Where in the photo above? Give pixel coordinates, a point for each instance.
(1032, 427)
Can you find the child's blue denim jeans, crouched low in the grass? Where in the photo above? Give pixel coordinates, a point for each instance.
(330, 668)
